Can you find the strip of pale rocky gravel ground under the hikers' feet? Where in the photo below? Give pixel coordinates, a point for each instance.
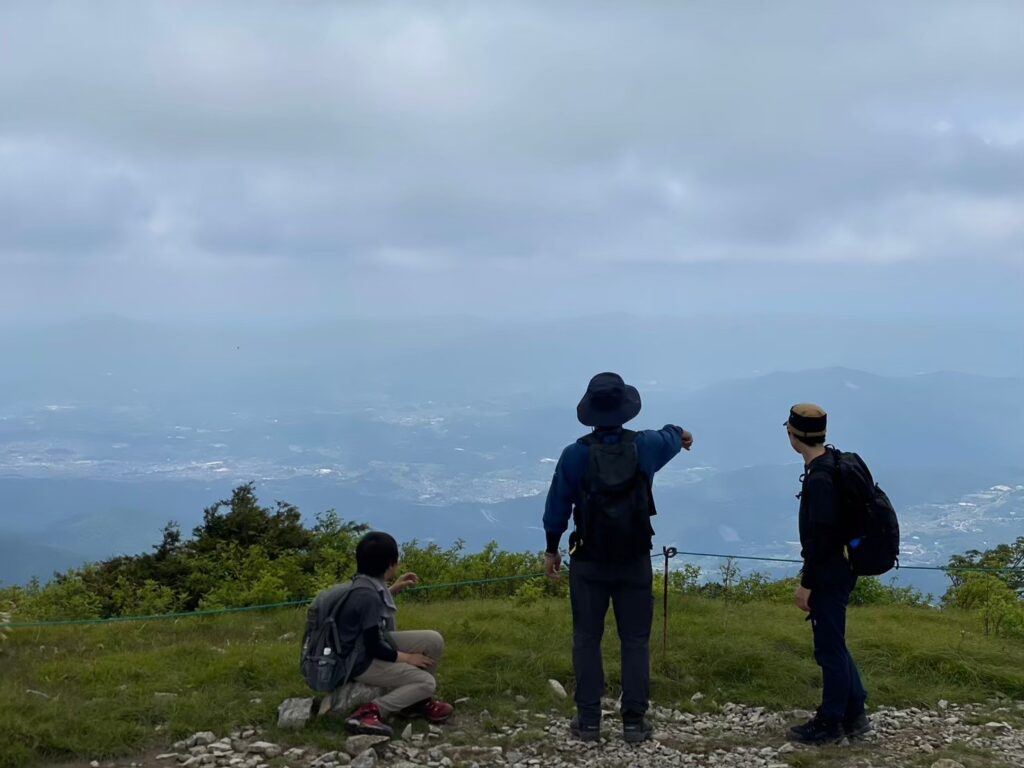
(950, 737)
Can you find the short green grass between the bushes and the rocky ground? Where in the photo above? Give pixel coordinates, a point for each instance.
(230, 671)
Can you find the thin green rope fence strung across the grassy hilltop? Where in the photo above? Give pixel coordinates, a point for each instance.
(669, 553)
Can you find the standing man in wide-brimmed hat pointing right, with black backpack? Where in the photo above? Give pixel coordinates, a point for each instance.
(604, 483)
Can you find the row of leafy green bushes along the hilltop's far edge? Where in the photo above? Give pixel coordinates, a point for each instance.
(246, 554)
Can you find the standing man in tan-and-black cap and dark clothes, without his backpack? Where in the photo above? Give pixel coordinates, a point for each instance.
(826, 584)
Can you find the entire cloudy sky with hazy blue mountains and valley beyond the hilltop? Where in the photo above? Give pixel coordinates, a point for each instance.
(372, 253)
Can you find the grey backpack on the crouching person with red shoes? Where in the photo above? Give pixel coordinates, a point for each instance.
(325, 664)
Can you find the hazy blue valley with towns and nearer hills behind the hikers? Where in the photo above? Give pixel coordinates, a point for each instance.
(83, 482)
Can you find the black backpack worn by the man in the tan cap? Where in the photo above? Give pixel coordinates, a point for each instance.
(870, 523)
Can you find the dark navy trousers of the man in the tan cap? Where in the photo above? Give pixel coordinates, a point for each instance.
(843, 696)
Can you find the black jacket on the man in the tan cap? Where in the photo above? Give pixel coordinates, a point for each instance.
(822, 536)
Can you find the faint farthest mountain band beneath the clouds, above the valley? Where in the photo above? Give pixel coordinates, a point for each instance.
(112, 362)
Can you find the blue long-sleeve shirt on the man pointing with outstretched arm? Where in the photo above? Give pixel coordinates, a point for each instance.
(655, 450)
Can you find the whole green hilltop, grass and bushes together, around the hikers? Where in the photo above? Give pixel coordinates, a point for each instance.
(97, 691)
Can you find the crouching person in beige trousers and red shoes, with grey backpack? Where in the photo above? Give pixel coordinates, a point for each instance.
(369, 649)
